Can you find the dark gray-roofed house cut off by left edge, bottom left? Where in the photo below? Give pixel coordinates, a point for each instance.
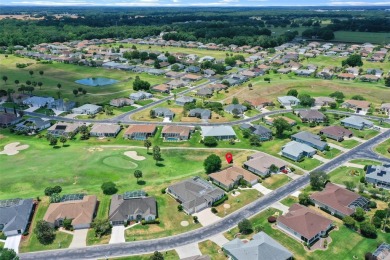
(15, 215)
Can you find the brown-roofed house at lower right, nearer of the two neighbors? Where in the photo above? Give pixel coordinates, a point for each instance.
(304, 224)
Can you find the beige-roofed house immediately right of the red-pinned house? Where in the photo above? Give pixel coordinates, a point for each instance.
(263, 164)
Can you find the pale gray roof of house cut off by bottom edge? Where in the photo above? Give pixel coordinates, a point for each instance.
(261, 247)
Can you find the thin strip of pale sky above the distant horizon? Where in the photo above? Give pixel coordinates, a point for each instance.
(155, 3)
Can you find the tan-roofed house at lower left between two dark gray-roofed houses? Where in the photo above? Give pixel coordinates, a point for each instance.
(79, 208)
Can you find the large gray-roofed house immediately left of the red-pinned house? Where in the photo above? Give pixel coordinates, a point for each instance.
(195, 194)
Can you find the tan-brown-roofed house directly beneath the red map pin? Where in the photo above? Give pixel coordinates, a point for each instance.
(231, 176)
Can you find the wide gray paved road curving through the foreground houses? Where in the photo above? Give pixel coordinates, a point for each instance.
(141, 247)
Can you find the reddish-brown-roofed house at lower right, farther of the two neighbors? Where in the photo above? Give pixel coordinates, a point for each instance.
(338, 200)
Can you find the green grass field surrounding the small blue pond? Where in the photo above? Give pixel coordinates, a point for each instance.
(66, 74)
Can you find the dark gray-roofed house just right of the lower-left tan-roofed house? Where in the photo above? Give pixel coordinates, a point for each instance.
(132, 206)
